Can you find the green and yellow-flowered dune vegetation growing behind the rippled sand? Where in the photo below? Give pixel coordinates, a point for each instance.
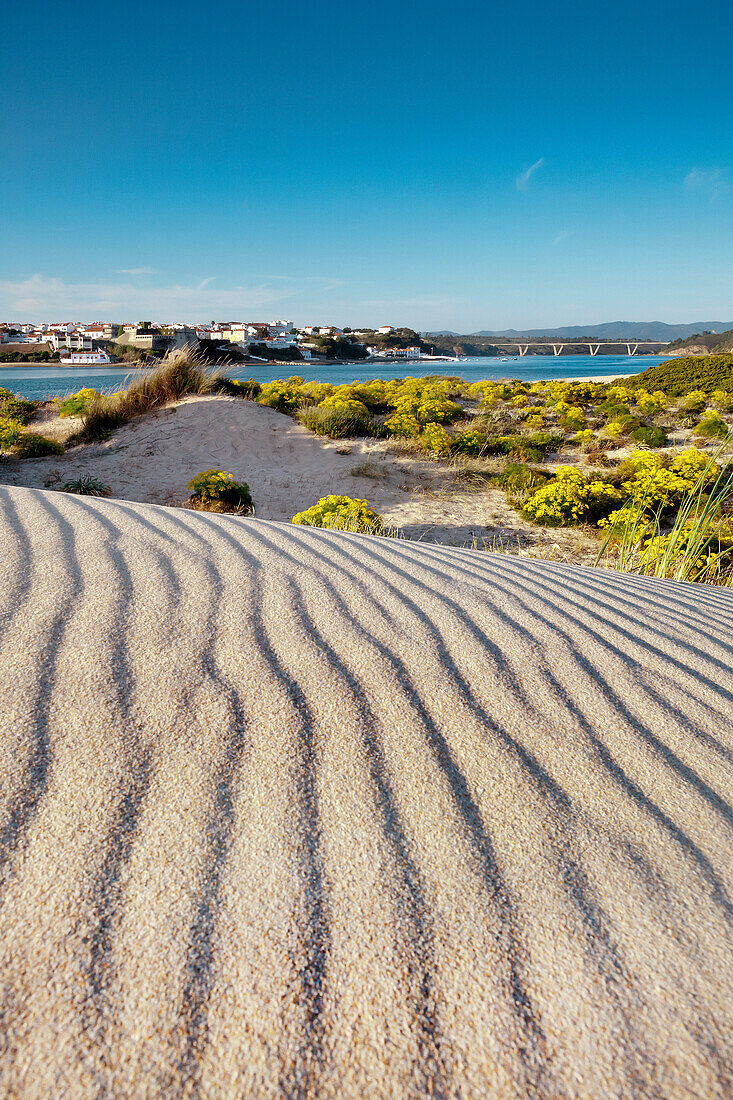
(630, 463)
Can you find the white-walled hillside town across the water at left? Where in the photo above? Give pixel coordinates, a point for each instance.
(106, 343)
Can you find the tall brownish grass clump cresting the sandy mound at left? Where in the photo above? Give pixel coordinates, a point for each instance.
(181, 373)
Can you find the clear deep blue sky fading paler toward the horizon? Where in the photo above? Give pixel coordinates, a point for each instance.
(464, 167)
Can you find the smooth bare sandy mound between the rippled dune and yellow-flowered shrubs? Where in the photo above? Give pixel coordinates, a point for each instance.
(288, 468)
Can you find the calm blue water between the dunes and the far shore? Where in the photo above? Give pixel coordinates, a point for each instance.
(39, 382)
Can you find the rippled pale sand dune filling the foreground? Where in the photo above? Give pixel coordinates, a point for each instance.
(290, 813)
